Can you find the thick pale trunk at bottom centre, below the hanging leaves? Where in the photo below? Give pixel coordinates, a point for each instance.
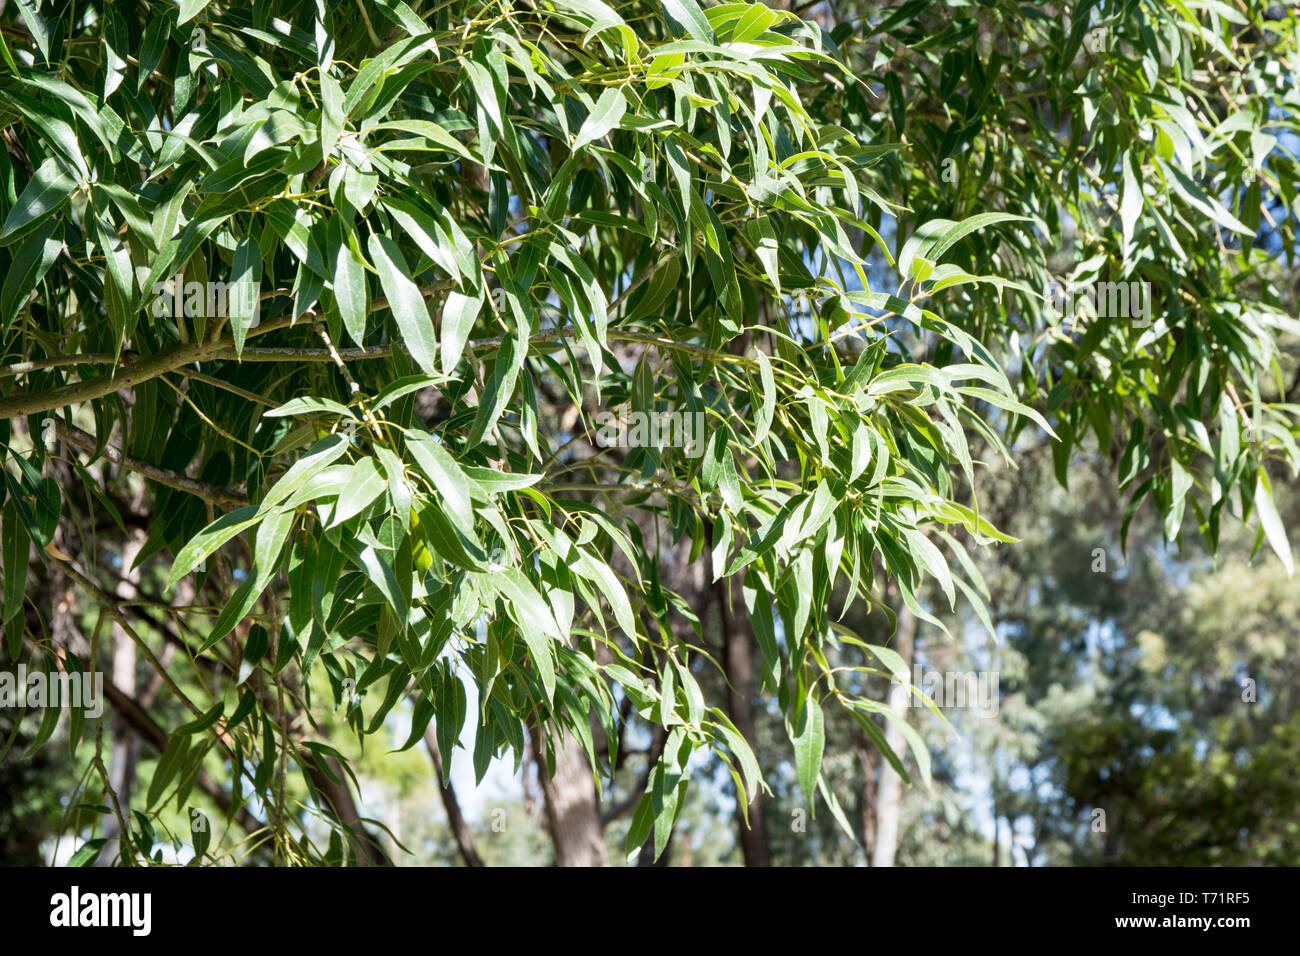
(573, 812)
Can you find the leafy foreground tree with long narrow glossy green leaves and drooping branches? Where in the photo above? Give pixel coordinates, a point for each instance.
(343, 313)
